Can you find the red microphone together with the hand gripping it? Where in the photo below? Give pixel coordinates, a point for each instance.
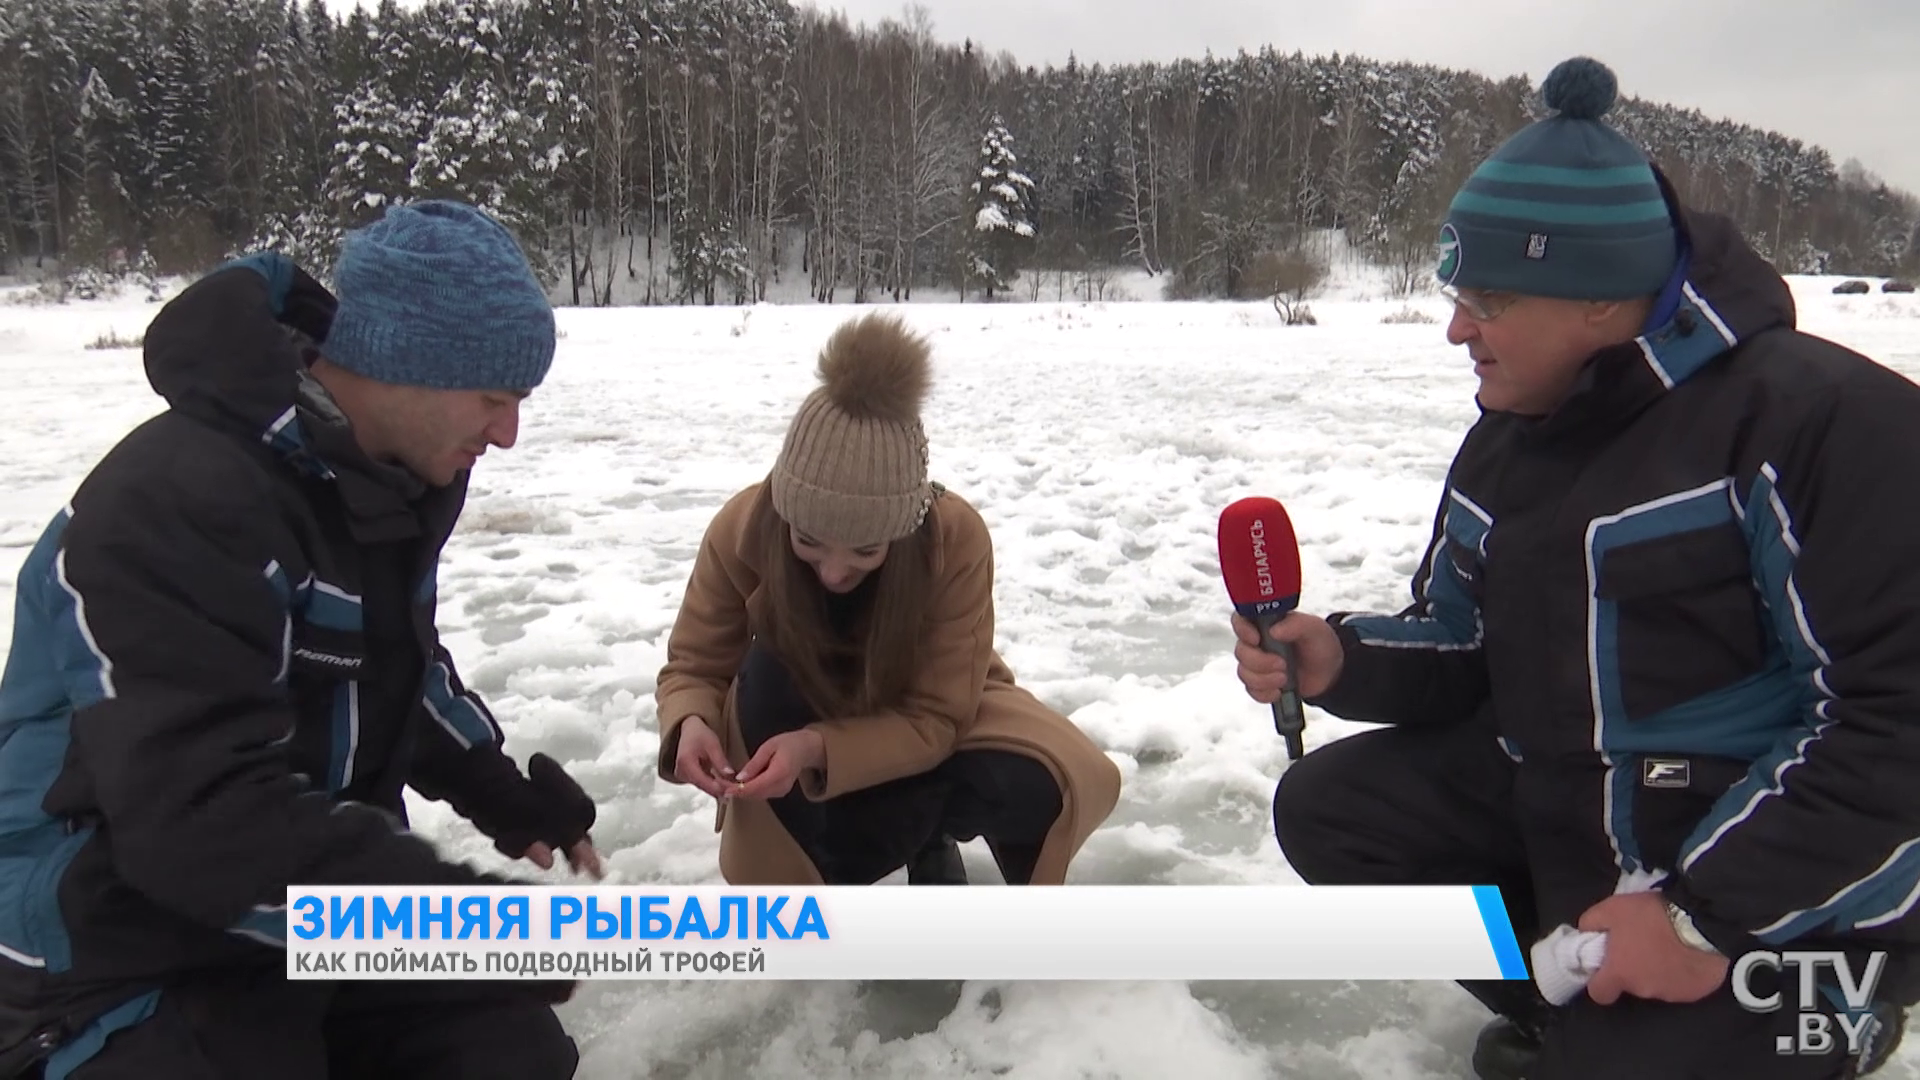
(1282, 652)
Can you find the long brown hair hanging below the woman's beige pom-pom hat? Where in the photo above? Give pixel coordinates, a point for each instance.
(869, 672)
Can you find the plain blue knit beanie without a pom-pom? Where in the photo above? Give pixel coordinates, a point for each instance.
(441, 295)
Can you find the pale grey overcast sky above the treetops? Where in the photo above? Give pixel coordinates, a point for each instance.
(1840, 74)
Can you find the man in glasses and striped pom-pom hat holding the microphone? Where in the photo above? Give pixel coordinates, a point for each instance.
(1660, 679)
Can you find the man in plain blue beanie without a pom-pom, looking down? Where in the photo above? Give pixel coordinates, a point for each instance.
(226, 674)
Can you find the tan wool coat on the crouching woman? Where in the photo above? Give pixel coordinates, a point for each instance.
(965, 699)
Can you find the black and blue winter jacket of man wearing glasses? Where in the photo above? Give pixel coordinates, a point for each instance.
(1691, 599)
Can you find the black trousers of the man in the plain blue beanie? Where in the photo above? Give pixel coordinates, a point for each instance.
(252, 1023)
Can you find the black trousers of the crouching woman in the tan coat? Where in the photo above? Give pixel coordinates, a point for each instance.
(863, 837)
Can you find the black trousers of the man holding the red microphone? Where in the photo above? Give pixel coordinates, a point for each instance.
(1435, 806)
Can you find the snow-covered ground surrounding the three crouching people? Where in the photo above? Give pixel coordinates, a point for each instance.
(1101, 445)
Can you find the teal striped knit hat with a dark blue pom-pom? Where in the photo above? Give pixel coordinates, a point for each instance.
(1566, 209)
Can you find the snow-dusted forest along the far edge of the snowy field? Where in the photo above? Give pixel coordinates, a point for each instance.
(694, 151)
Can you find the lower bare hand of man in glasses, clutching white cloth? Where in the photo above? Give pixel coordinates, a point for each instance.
(1644, 956)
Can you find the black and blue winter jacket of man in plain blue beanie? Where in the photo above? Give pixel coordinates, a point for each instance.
(224, 674)
